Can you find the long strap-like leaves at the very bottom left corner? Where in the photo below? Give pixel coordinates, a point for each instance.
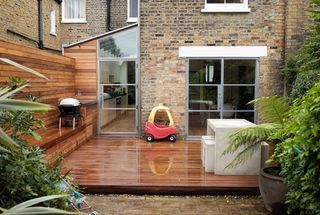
(25, 207)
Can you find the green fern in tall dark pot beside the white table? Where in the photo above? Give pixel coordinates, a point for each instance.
(273, 112)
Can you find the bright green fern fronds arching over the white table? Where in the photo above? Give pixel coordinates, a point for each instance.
(273, 111)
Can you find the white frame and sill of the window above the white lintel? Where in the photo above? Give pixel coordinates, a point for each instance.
(226, 7)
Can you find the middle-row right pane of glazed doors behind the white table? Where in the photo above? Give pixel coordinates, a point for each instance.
(236, 98)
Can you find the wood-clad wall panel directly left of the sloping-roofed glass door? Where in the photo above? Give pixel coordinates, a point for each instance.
(86, 78)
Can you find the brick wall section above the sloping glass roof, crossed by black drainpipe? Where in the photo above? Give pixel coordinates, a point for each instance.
(96, 17)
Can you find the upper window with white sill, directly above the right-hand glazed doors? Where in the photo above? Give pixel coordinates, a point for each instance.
(226, 6)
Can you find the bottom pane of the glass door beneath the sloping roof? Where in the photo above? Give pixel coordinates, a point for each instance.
(118, 121)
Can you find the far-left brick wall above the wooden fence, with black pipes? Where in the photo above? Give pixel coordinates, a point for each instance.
(22, 17)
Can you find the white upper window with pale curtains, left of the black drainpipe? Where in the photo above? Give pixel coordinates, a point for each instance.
(73, 11)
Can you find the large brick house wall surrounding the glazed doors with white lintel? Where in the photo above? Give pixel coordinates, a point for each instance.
(166, 25)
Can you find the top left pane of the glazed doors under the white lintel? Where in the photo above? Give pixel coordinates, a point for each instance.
(204, 71)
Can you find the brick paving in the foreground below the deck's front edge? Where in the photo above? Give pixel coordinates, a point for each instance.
(177, 205)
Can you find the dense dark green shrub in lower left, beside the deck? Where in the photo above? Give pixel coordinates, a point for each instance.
(25, 176)
